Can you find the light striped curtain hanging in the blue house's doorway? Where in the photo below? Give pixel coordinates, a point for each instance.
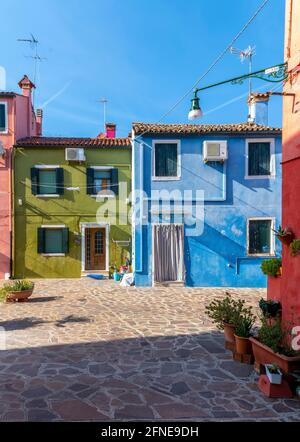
(168, 252)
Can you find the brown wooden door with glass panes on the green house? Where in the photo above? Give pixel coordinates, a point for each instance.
(95, 247)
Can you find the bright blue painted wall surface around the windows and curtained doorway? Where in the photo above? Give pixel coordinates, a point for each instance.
(218, 256)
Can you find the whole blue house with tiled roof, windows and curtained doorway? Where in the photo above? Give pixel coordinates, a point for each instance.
(205, 201)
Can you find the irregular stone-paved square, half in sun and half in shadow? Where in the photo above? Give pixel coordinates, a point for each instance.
(89, 350)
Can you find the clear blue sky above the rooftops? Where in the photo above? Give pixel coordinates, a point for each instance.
(142, 55)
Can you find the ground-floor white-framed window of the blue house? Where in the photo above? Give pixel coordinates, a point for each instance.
(260, 238)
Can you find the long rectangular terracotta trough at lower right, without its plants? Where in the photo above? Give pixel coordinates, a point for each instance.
(265, 355)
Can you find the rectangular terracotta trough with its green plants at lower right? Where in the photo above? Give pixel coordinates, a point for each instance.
(270, 346)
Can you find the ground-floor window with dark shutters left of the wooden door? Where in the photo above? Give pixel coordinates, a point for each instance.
(53, 240)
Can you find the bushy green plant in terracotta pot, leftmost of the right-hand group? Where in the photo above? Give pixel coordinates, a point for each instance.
(224, 313)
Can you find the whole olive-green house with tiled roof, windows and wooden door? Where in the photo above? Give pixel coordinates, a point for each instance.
(71, 206)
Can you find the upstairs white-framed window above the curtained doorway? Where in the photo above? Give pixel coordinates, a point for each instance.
(166, 160)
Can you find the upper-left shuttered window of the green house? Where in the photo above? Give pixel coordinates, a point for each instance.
(47, 181)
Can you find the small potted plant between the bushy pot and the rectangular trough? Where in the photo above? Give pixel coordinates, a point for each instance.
(243, 332)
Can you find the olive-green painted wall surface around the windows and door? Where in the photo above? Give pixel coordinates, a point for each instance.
(71, 209)
